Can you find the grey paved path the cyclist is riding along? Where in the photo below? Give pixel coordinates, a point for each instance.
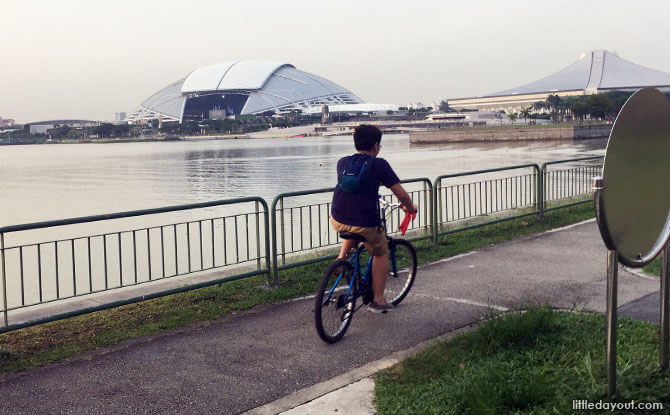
(252, 358)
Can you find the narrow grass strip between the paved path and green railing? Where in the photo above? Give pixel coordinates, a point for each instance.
(38, 345)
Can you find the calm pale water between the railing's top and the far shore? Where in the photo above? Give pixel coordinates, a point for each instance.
(44, 182)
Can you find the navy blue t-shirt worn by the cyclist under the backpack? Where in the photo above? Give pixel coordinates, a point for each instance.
(360, 209)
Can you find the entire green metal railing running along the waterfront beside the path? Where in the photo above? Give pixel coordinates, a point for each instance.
(294, 230)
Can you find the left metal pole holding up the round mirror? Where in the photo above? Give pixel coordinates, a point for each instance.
(612, 270)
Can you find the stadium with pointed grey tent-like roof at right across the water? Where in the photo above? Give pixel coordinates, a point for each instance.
(595, 72)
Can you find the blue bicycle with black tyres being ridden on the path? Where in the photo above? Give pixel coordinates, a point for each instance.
(343, 283)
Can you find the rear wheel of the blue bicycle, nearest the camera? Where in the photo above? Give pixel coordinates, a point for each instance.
(334, 304)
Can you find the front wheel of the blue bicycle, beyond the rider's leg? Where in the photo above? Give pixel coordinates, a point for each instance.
(402, 270)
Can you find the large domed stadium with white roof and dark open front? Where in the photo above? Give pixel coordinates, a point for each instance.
(240, 88)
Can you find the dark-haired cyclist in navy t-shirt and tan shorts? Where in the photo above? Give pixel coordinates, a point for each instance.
(355, 205)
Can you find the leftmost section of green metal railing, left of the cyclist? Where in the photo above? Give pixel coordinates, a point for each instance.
(41, 272)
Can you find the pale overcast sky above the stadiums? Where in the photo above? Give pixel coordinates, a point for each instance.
(87, 59)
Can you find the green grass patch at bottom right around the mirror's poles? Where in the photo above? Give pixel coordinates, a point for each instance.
(525, 363)
